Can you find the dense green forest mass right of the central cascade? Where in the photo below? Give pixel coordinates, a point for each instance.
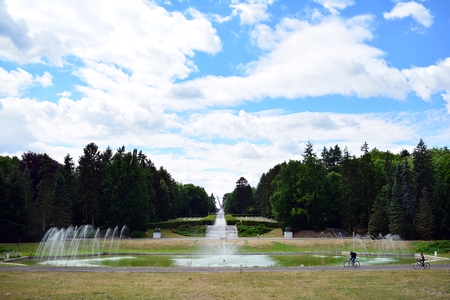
(406, 193)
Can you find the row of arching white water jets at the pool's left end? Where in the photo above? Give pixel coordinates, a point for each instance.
(66, 245)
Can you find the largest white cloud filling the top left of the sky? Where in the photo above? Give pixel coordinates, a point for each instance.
(138, 36)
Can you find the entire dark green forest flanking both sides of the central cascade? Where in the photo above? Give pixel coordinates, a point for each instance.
(406, 193)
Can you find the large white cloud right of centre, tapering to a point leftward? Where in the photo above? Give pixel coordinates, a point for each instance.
(304, 59)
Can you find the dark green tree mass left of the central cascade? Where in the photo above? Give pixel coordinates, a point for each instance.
(104, 189)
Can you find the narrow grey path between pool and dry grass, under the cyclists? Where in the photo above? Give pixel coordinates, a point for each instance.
(216, 270)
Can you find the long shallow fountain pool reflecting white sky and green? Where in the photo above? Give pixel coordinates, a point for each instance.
(214, 261)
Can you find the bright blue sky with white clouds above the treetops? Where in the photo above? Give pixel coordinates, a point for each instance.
(216, 90)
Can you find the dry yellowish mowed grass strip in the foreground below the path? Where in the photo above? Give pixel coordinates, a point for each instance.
(346, 284)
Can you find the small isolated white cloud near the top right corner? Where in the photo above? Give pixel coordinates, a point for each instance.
(417, 11)
